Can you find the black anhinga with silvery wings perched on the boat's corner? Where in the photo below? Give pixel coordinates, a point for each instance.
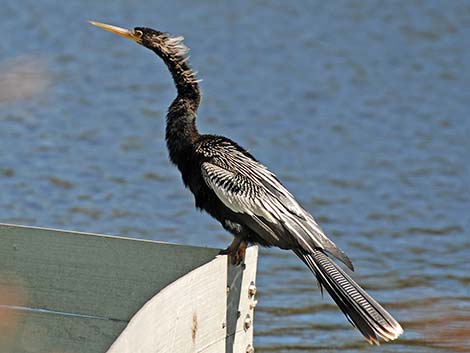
(246, 198)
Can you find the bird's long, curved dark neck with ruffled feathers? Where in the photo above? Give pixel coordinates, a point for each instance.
(181, 131)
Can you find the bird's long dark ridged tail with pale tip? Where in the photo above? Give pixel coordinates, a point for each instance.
(360, 308)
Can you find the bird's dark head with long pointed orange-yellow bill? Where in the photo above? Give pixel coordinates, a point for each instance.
(160, 42)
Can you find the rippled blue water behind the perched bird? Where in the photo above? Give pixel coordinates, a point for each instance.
(361, 109)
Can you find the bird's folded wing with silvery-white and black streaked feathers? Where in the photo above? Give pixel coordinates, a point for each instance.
(249, 189)
